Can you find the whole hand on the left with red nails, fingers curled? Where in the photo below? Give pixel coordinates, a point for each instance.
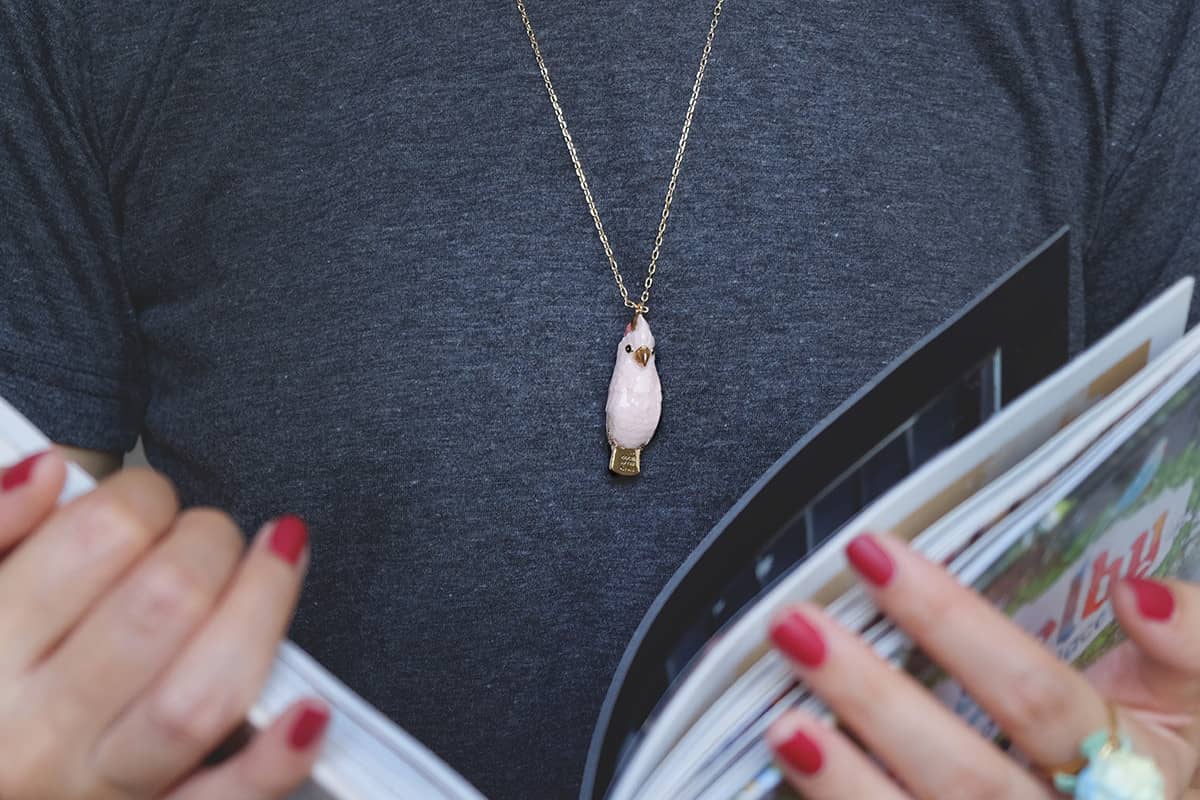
(135, 639)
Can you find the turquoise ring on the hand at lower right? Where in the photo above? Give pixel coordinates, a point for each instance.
(1109, 769)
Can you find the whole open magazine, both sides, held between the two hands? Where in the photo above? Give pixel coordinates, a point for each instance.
(1037, 480)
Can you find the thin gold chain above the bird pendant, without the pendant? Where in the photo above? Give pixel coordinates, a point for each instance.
(641, 305)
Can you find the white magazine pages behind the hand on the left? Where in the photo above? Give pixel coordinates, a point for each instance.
(367, 756)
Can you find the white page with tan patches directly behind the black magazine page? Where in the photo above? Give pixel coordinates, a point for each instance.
(910, 508)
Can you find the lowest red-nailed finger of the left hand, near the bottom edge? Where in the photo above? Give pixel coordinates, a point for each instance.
(275, 762)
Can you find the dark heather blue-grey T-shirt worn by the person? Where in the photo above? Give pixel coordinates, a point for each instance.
(332, 258)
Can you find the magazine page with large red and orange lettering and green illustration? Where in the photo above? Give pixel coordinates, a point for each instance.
(1131, 515)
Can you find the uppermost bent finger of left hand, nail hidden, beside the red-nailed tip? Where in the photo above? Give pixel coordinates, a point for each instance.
(51, 580)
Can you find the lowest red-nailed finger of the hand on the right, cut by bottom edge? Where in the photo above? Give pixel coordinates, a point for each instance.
(823, 765)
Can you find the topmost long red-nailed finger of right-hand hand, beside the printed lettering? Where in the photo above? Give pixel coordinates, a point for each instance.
(1045, 706)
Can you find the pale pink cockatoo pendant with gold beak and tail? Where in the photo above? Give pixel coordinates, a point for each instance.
(635, 399)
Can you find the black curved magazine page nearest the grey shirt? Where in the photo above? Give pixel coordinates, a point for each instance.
(944, 386)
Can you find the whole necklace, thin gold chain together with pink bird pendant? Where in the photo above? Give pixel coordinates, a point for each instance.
(635, 395)
